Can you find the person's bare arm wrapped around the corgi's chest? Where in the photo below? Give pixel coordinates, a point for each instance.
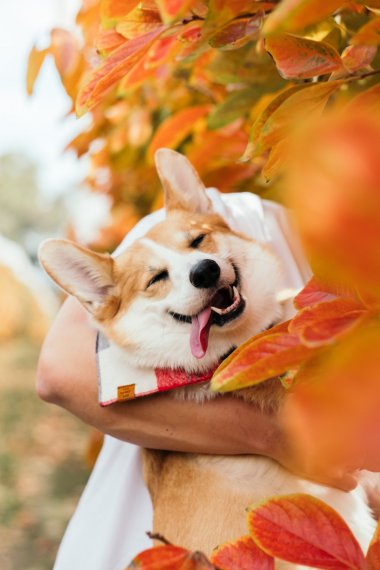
(66, 376)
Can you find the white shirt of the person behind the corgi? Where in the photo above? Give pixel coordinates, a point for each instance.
(108, 528)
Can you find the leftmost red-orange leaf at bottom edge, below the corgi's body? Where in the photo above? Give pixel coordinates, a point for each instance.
(170, 557)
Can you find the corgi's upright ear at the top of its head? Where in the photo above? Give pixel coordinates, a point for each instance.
(182, 186)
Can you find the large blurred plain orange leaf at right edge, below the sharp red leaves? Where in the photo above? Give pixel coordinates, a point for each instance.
(334, 402)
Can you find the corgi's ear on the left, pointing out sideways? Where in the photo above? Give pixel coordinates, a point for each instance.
(78, 271)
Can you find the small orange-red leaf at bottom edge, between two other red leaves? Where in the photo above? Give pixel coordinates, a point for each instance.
(242, 554)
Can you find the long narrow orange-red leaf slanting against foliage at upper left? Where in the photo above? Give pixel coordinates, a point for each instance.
(112, 69)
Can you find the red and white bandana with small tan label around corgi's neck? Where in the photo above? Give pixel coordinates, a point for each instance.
(119, 381)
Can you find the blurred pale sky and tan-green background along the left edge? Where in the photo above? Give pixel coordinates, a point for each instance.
(43, 464)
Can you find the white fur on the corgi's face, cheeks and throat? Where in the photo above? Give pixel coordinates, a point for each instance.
(159, 340)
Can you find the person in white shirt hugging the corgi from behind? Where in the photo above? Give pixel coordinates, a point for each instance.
(114, 512)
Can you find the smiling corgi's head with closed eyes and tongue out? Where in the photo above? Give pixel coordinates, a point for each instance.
(183, 295)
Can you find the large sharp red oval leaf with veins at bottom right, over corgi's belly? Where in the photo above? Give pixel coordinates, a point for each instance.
(303, 530)
